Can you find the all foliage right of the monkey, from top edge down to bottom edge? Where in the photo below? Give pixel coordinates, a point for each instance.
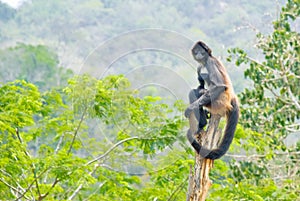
(270, 112)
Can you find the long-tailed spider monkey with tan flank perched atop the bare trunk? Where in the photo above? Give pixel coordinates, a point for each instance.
(218, 98)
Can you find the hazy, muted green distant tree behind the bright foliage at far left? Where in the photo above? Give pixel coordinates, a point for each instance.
(36, 64)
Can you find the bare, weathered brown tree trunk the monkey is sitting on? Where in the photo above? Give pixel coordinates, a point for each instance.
(199, 182)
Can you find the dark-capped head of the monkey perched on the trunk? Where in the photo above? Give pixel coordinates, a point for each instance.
(201, 52)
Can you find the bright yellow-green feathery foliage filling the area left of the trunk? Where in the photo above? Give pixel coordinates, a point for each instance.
(47, 150)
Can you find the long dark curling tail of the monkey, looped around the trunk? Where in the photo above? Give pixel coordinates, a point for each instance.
(232, 120)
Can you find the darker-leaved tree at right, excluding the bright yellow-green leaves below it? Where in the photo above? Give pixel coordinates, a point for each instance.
(272, 106)
